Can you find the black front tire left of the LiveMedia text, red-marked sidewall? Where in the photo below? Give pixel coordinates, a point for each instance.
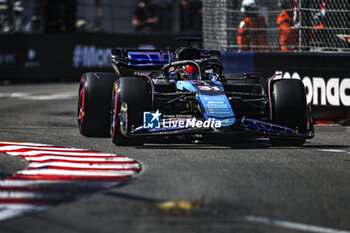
(131, 97)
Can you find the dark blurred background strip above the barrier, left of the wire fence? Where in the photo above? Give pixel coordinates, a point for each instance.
(97, 16)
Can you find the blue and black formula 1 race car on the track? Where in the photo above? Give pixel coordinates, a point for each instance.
(184, 92)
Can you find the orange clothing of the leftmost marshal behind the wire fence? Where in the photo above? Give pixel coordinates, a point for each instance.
(252, 34)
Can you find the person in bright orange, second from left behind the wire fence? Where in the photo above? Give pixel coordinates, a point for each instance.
(289, 34)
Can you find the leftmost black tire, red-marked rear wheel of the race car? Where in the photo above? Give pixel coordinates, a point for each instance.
(94, 105)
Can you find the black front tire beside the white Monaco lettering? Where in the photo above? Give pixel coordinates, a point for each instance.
(289, 109)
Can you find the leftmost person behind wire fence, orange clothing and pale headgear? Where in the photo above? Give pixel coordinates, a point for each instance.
(252, 35)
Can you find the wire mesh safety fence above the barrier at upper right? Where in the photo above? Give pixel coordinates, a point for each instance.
(312, 25)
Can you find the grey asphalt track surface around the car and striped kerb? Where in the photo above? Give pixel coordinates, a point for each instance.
(244, 186)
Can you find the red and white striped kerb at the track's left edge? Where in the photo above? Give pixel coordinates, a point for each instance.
(56, 174)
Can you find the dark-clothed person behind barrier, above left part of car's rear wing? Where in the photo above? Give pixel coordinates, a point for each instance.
(143, 17)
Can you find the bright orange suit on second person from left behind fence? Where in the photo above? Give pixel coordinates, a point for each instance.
(289, 36)
